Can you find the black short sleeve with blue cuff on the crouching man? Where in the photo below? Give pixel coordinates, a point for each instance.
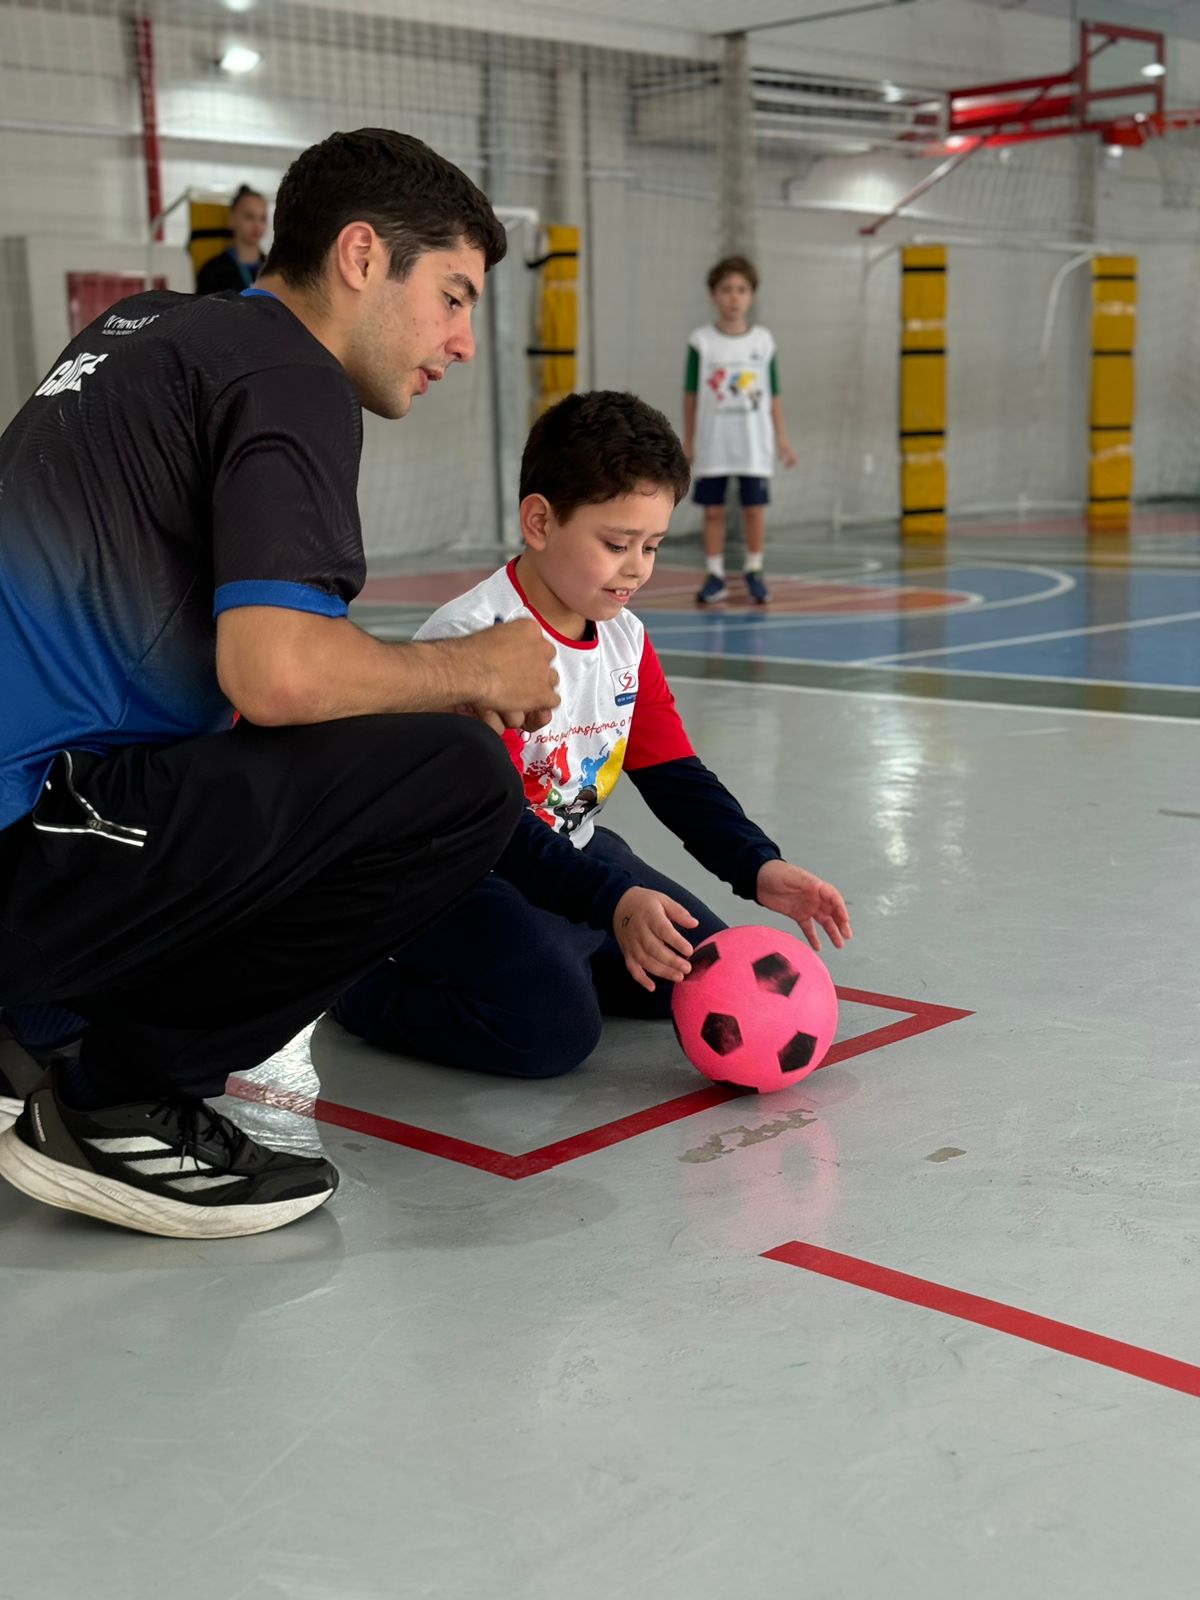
(286, 449)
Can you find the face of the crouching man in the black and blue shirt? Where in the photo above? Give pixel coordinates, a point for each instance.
(409, 332)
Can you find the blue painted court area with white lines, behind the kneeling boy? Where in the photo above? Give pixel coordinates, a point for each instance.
(1110, 625)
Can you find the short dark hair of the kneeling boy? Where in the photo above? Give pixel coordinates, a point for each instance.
(590, 449)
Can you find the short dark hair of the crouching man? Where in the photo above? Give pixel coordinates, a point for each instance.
(415, 199)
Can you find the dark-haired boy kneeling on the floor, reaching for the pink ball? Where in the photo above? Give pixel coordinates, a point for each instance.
(572, 926)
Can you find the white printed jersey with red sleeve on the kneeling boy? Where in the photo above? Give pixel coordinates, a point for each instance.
(615, 711)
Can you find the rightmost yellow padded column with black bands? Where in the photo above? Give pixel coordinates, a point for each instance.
(1114, 334)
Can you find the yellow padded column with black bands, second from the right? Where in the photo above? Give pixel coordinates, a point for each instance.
(924, 391)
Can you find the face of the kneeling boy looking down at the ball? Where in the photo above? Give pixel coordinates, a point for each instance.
(598, 561)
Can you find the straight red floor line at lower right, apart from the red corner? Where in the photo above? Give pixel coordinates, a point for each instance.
(1164, 1370)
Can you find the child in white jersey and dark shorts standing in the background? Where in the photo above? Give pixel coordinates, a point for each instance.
(734, 422)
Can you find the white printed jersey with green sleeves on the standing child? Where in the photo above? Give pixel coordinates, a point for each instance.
(734, 380)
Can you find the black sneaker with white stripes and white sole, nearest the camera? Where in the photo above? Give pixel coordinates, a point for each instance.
(161, 1167)
